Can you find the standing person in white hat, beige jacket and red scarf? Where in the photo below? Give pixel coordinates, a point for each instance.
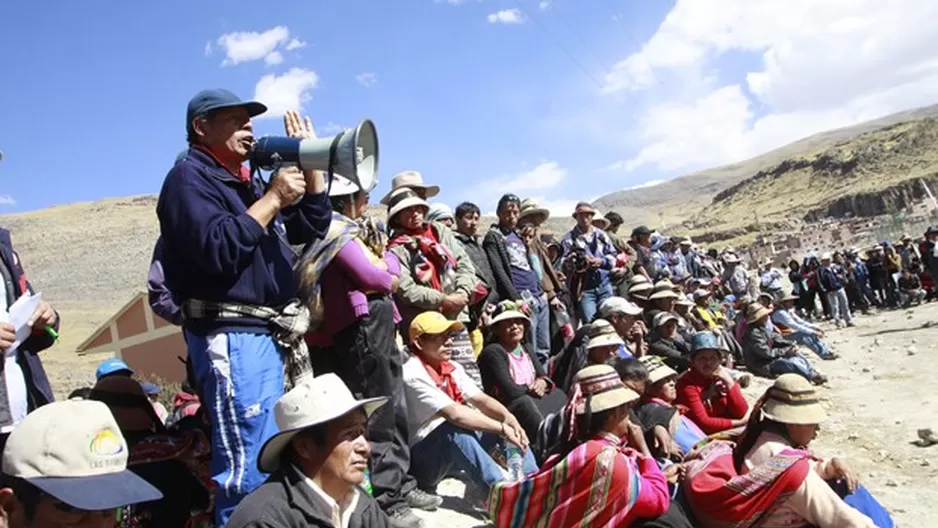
(436, 272)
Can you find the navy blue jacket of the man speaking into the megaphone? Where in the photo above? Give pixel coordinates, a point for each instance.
(213, 251)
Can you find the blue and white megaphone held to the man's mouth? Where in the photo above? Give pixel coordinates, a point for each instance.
(352, 154)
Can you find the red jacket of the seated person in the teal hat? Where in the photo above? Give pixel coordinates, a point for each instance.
(713, 414)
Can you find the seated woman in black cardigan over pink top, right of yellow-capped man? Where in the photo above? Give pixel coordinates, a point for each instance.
(512, 376)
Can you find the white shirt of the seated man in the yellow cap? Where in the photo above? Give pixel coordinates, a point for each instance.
(425, 400)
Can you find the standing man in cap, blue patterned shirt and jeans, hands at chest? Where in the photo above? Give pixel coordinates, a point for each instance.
(589, 256)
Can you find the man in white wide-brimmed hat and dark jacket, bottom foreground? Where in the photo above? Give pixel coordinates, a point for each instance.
(318, 462)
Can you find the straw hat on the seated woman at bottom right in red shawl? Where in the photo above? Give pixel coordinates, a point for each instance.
(793, 400)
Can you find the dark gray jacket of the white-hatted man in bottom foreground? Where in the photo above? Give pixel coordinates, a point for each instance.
(286, 501)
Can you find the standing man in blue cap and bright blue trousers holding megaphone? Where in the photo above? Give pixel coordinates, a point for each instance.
(226, 255)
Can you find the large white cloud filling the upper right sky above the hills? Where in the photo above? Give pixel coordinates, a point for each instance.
(820, 65)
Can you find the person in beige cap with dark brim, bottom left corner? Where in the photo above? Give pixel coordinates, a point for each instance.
(65, 466)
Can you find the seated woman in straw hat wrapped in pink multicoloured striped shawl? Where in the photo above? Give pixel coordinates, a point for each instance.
(594, 480)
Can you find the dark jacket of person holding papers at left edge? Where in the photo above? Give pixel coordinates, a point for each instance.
(38, 390)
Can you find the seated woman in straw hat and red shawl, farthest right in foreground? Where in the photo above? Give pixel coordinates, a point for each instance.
(771, 480)
